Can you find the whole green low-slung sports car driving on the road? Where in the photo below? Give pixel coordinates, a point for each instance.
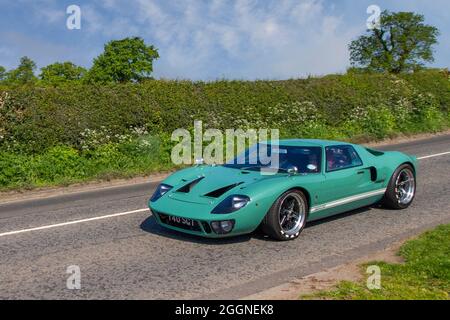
(313, 179)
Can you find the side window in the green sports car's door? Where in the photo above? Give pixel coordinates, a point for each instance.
(342, 157)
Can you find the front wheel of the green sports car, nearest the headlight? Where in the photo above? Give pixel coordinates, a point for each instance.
(287, 216)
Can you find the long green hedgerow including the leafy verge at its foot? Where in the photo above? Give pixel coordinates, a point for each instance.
(77, 132)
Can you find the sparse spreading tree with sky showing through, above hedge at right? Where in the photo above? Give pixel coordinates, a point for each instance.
(402, 43)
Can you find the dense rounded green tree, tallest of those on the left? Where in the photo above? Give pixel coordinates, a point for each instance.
(127, 60)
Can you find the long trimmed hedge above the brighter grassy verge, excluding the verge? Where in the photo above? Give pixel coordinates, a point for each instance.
(34, 119)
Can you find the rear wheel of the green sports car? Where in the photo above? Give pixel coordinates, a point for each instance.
(401, 189)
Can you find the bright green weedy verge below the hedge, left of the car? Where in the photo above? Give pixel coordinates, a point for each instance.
(63, 166)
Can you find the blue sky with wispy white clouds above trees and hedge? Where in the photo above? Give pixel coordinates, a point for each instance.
(207, 39)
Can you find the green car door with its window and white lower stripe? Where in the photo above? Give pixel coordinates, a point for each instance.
(345, 178)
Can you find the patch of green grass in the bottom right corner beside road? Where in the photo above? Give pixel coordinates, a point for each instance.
(424, 275)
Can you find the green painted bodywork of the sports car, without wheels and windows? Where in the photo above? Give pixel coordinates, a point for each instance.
(328, 193)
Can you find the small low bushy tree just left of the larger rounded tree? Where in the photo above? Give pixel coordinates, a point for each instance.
(58, 73)
